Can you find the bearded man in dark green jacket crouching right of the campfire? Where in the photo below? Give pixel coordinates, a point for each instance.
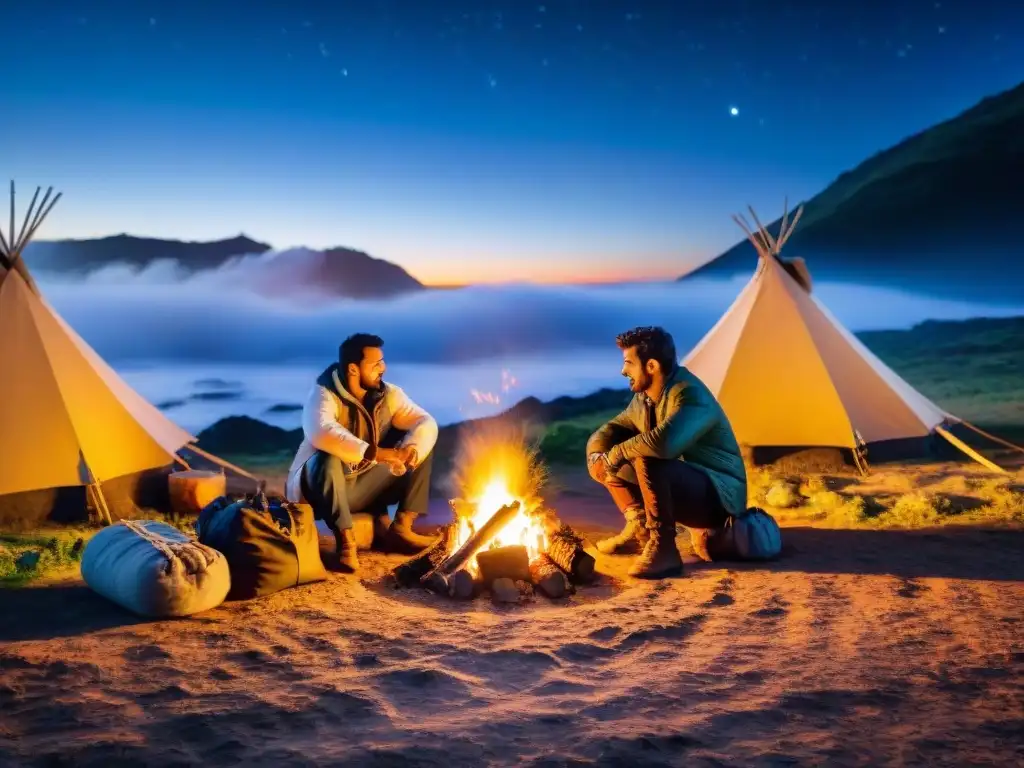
(671, 456)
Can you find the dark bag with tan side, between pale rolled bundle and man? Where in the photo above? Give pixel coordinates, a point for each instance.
(271, 543)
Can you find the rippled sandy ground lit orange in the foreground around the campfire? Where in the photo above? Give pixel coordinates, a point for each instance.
(856, 649)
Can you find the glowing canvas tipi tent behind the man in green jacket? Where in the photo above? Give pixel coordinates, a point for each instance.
(789, 375)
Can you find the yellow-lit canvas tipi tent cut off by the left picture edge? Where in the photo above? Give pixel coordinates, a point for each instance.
(67, 419)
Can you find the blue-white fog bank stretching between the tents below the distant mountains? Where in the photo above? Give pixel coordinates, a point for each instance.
(159, 315)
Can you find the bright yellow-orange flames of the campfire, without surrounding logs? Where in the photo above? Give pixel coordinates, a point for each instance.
(496, 467)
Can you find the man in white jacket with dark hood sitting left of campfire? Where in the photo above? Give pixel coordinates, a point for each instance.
(346, 463)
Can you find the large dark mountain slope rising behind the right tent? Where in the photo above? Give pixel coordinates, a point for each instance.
(940, 212)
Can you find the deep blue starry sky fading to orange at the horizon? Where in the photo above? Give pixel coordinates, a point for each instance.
(477, 141)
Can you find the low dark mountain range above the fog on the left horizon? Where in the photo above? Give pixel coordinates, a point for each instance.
(336, 273)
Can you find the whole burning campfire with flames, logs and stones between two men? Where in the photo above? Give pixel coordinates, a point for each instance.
(503, 539)
